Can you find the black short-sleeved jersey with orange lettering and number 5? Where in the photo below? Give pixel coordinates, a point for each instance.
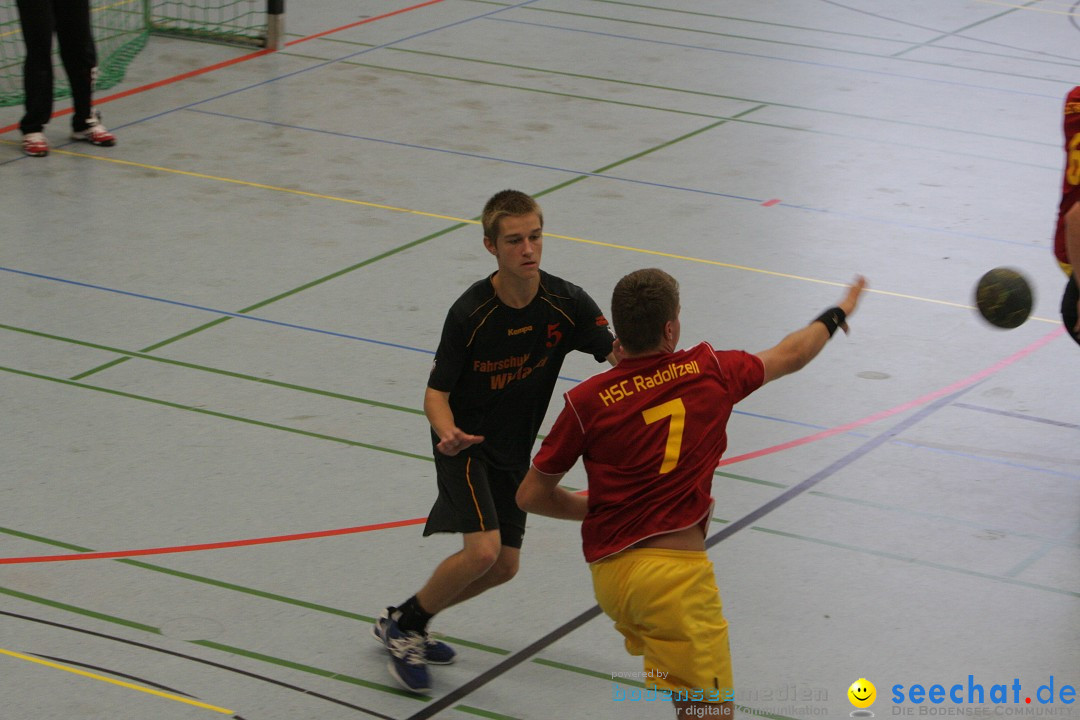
(501, 364)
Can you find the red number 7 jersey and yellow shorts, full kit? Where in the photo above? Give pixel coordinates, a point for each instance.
(652, 432)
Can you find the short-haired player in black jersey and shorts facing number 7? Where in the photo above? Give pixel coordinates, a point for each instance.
(499, 357)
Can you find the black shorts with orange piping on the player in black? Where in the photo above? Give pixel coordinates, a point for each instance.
(474, 497)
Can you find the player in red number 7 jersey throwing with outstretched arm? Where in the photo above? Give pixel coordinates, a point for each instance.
(651, 432)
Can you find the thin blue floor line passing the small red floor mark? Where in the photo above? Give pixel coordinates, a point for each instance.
(758, 201)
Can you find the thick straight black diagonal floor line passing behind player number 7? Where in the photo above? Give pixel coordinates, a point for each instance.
(728, 531)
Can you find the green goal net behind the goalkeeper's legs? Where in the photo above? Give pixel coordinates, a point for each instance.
(121, 30)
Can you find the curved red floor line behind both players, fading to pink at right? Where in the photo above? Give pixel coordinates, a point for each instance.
(1001, 365)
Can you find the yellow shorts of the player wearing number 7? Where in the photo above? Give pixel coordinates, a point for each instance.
(667, 605)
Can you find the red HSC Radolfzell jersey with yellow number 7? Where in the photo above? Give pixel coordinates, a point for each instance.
(655, 429)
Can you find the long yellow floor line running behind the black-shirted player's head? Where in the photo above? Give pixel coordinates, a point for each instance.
(305, 194)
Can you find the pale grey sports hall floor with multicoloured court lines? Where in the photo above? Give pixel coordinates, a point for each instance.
(219, 333)
